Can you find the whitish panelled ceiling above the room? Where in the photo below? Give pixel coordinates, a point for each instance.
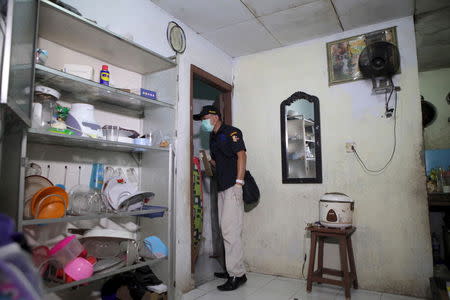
(241, 27)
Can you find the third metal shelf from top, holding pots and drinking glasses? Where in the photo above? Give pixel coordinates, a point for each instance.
(40, 136)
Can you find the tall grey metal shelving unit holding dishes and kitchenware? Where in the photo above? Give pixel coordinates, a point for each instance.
(69, 30)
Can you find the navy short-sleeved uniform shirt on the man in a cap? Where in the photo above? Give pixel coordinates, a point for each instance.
(224, 144)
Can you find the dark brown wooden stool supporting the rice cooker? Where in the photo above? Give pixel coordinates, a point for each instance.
(318, 234)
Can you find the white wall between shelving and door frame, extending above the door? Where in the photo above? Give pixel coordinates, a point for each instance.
(147, 22)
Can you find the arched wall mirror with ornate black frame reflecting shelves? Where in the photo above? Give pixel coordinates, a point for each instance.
(301, 154)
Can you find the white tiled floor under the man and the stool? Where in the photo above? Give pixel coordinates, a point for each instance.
(266, 287)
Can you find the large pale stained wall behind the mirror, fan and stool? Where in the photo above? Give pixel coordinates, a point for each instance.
(392, 242)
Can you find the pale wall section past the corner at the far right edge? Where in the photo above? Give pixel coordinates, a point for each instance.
(434, 86)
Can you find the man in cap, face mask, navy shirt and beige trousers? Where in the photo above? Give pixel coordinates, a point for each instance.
(229, 156)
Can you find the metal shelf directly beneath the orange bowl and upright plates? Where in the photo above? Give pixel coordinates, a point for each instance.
(92, 217)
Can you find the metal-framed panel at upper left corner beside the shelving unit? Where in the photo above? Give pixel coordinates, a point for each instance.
(17, 75)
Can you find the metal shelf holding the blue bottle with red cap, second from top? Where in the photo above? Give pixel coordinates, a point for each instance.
(77, 89)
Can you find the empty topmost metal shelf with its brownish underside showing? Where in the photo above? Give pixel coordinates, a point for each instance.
(77, 33)
